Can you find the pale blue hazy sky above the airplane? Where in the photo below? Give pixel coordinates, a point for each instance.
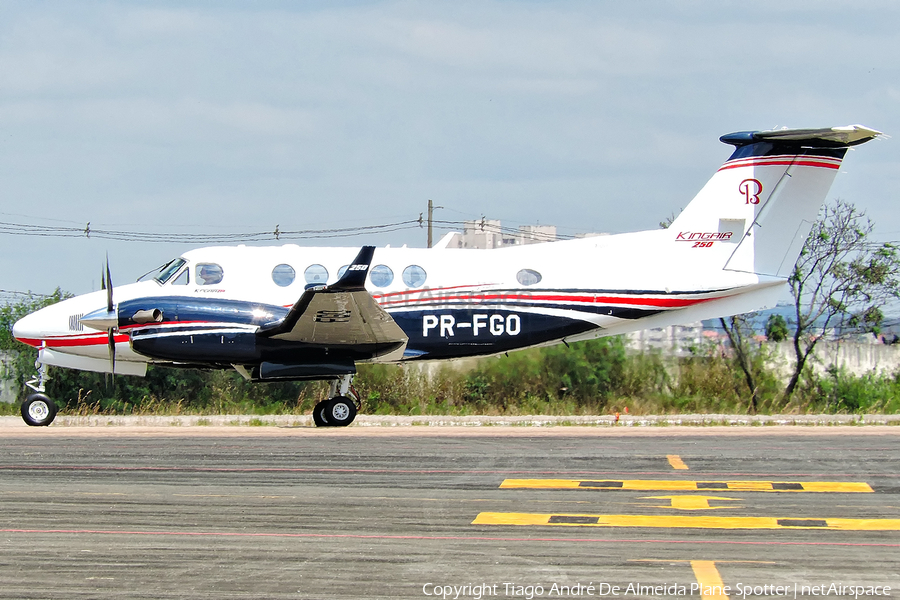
(235, 117)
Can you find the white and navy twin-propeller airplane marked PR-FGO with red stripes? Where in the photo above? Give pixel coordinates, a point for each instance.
(294, 313)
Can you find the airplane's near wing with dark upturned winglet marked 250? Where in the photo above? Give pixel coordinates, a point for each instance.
(341, 316)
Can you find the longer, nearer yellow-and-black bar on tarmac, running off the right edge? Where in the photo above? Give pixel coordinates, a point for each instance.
(684, 521)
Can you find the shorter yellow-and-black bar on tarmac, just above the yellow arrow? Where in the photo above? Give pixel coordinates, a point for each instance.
(691, 486)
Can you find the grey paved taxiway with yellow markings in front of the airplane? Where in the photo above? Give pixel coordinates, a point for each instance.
(295, 512)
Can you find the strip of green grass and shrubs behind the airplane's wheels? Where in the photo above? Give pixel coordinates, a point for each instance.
(589, 379)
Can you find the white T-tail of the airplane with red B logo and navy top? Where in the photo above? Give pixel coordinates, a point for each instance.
(764, 199)
